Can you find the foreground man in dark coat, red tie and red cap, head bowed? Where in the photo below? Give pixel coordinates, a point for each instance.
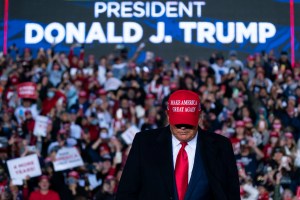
(180, 161)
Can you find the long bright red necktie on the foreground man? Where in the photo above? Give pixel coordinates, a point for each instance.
(181, 171)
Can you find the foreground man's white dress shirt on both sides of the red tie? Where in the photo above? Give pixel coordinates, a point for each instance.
(190, 150)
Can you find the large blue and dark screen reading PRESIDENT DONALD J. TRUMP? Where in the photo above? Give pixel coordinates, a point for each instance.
(167, 28)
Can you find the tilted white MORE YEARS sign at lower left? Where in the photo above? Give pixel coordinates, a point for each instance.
(19, 168)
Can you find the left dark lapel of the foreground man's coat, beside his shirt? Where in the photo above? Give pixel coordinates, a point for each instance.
(165, 157)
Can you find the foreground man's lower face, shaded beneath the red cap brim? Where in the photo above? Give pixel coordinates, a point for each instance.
(184, 132)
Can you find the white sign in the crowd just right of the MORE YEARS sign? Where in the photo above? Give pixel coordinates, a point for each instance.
(67, 158)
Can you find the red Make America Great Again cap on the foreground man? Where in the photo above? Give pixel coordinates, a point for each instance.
(184, 108)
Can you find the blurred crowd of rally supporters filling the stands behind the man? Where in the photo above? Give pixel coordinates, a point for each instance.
(91, 100)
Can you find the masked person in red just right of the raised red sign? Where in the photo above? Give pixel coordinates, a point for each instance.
(53, 95)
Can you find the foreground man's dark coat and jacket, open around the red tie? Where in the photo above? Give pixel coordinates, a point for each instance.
(149, 172)
